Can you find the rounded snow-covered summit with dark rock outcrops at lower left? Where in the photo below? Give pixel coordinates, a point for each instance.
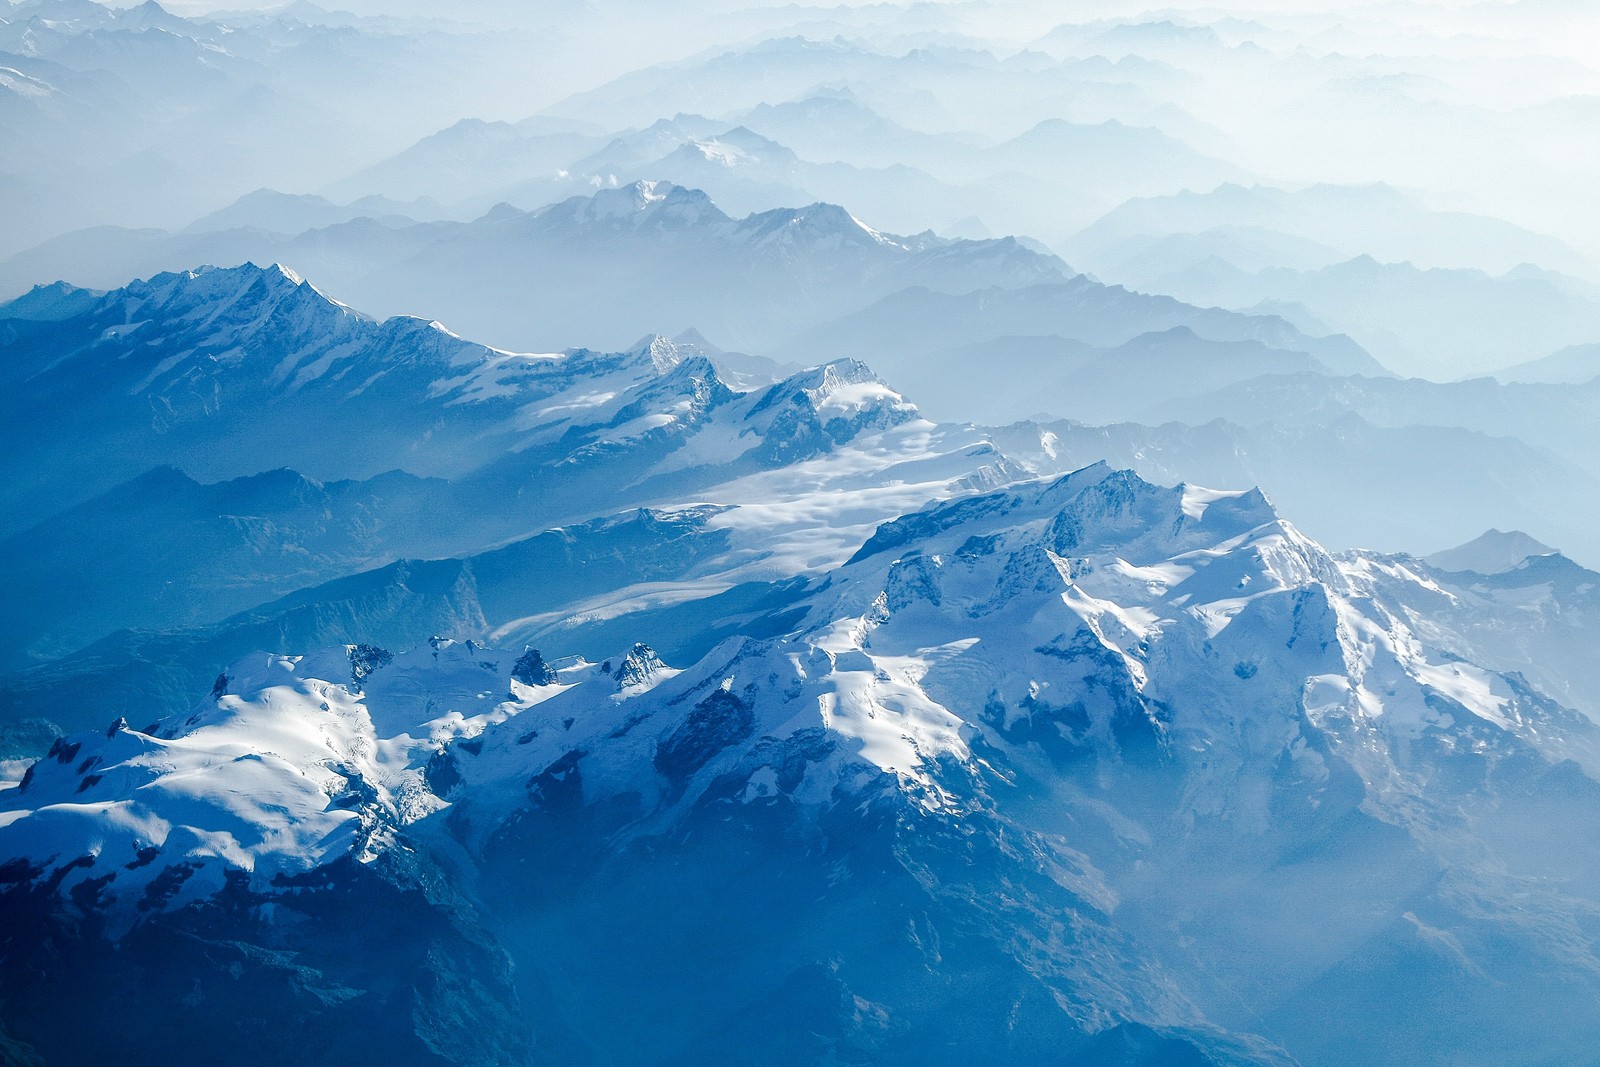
(294, 762)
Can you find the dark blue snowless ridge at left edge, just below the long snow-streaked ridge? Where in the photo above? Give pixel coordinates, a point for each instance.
(164, 551)
